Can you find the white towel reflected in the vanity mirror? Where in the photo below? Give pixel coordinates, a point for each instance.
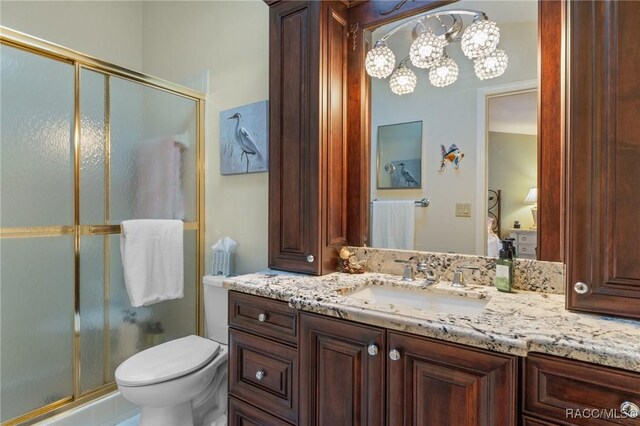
(393, 224)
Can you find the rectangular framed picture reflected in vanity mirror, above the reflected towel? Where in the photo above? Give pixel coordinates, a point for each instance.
(399, 159)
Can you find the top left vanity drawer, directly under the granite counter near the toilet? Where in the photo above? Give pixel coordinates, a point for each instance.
(263, 316)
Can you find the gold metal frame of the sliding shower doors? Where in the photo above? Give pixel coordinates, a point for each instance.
(81, 61)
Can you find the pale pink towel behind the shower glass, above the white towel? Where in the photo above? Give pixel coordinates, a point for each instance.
(159, 184)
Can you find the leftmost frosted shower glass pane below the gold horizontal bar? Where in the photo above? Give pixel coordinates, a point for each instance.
(36, 322)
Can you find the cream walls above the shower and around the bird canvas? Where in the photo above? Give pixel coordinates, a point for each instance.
(180, 41)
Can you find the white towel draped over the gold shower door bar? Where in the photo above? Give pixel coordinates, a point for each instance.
(152, 257)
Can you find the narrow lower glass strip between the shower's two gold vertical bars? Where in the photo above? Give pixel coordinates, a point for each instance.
(92, 331)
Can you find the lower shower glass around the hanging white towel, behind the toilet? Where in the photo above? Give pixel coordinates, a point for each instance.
(135, 329)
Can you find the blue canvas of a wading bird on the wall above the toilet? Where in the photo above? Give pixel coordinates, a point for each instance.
(244, 139)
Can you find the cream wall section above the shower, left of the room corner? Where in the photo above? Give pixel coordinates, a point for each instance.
(109, 30)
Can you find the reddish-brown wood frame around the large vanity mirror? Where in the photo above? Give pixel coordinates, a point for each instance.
(368, 15)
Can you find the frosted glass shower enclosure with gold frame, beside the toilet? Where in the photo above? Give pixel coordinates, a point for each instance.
(77, 138)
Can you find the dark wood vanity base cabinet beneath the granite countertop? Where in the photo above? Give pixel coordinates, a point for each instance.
(343, 373)
